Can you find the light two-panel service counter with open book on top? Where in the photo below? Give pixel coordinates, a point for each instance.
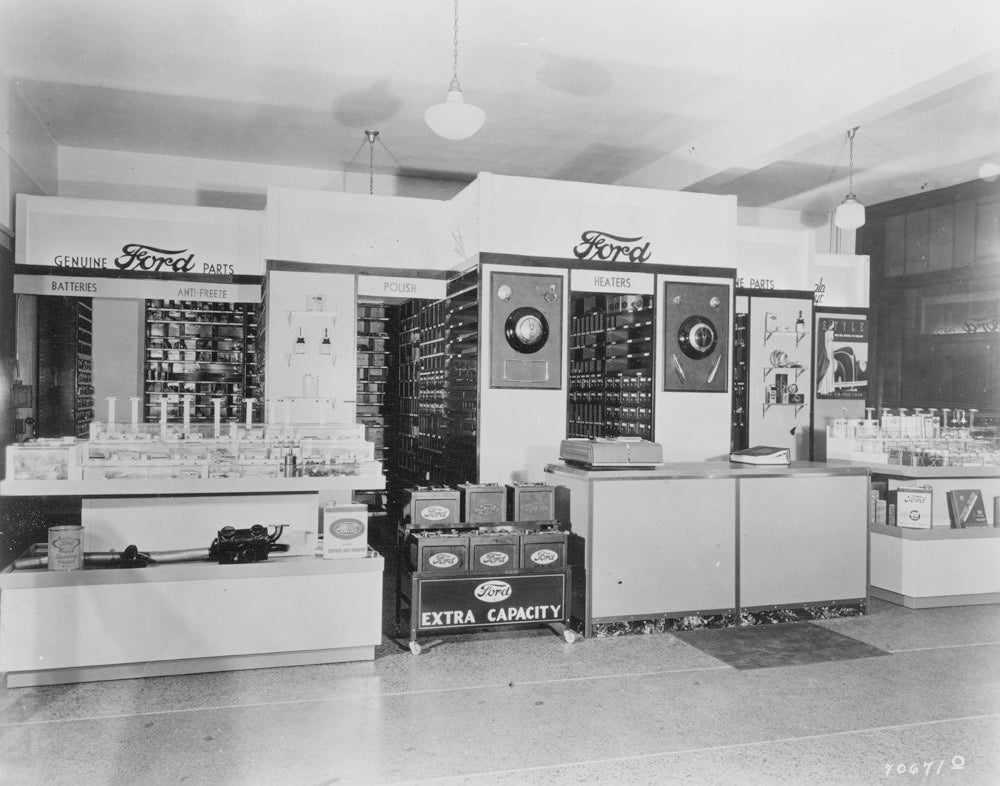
(714, 544)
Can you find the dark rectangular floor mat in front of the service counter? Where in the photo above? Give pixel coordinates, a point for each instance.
(788, 644)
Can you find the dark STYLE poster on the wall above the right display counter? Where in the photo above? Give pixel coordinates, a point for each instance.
(841, 356)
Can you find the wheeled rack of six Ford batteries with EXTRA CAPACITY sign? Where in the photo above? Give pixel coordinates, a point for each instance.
(466, 562)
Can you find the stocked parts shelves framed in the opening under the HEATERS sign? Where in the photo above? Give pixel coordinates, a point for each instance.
(611, 366)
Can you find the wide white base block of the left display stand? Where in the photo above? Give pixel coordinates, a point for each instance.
(210, 613)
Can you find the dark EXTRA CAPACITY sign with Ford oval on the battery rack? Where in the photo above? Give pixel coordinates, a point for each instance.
(499, 600)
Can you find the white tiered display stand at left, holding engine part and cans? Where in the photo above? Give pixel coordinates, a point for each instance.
(109, 623)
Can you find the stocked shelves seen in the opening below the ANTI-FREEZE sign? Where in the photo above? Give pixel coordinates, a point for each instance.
(203, 350)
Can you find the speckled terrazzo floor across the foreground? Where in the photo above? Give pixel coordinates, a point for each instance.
(908, 697)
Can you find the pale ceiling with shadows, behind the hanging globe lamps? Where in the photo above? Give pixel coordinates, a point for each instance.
(717, 96)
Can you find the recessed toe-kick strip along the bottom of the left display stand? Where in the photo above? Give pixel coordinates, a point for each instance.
(126, 671)
